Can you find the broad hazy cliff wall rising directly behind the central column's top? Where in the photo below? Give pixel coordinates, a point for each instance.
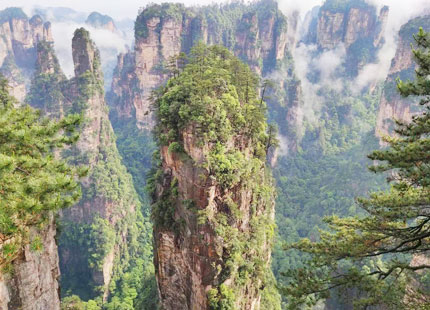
(166, 30)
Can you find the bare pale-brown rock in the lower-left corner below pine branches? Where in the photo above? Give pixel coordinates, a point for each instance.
(33, 283)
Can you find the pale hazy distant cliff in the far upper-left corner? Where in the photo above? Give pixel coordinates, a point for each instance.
(19, 36)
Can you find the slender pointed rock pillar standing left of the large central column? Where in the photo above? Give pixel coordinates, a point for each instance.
(109, 199)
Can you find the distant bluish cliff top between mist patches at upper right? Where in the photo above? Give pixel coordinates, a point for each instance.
(349, 23)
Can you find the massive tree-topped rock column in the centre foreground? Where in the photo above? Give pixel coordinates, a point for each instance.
(213, 198)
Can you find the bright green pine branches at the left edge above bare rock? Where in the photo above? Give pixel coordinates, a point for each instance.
(33, 183)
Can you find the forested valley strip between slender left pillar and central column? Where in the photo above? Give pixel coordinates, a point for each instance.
(136, 148)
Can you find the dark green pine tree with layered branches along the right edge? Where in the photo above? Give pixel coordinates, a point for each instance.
(371, 255)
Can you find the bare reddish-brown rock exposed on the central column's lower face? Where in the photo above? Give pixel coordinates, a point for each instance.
(190, 261)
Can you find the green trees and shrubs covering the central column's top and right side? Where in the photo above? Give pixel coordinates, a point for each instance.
(214, 98)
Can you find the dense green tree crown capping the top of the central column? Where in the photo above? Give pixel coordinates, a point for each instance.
(185, 100)
